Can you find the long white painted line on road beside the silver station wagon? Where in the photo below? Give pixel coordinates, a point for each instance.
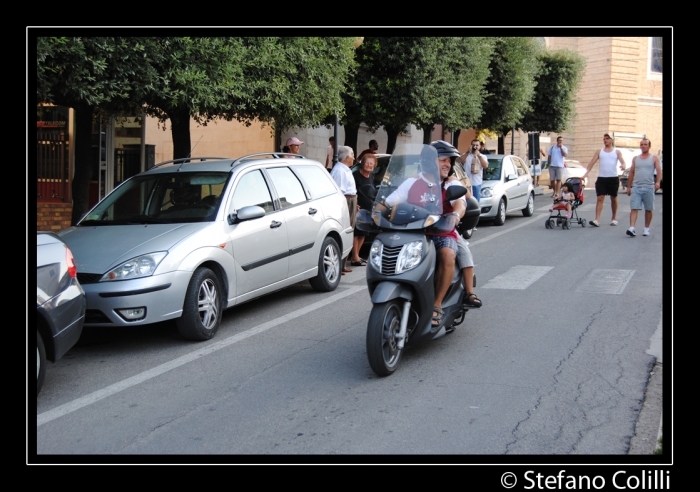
(96, 396)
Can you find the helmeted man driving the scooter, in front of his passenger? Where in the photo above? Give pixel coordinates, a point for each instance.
(418, 190)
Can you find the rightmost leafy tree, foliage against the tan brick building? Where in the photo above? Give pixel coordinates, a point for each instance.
(554, 106)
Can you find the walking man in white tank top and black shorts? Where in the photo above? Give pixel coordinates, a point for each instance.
(608, 181)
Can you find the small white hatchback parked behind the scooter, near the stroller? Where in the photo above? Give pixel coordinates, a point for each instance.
(507, 187)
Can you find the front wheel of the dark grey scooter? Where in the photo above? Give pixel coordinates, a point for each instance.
(382, 345)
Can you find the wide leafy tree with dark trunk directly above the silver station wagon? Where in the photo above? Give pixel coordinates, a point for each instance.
(282, 81)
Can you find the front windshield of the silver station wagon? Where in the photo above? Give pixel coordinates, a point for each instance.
(161, 199)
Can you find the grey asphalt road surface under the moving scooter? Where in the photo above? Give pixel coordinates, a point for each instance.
(559, 361)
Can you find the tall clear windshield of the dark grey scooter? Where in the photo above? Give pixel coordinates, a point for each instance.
(412, 178)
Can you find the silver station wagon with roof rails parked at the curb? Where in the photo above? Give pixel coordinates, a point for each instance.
(191, 237)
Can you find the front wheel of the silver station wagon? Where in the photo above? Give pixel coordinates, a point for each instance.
(201, 313)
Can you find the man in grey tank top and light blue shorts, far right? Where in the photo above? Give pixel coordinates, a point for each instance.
(645, 184)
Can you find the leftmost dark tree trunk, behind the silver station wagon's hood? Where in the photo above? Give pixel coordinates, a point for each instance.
(82, 176)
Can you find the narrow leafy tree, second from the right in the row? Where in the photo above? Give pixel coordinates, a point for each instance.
(511, 84)
